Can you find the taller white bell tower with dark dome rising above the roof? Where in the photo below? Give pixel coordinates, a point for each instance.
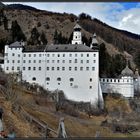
(77, 37)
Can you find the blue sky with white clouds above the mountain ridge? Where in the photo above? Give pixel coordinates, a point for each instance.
(121, 15)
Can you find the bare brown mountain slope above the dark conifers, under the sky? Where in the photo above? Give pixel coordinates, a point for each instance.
(28, 18)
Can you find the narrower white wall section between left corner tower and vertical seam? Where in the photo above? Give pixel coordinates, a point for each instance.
(27, 74)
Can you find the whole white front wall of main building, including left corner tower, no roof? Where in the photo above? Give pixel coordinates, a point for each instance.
(79, 90)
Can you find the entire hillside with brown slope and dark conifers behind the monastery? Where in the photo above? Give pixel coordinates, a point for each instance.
(36, 27)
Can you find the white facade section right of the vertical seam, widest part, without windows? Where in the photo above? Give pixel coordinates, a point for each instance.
(80, 91)
